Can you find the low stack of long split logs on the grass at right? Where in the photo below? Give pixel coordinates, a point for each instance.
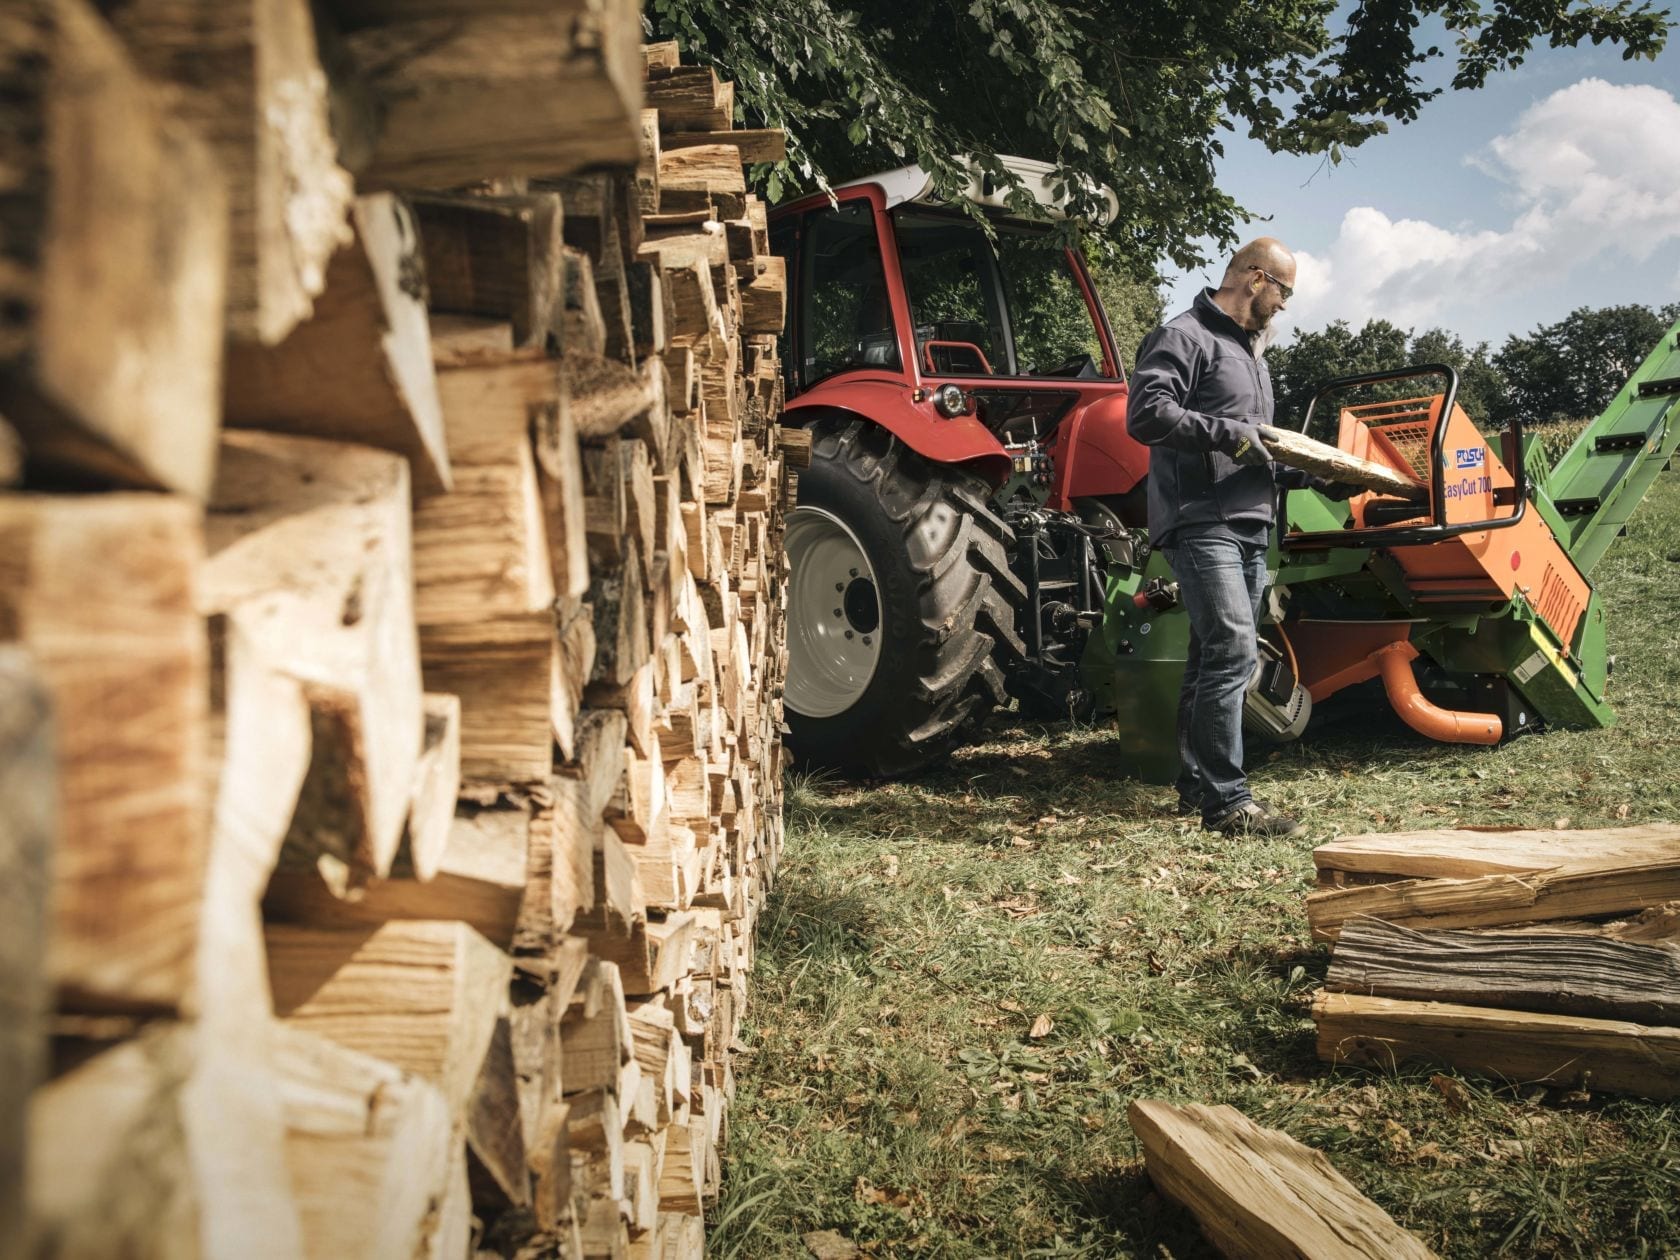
(1543, 957)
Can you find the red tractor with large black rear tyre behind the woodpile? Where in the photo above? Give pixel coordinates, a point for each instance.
(970, 468)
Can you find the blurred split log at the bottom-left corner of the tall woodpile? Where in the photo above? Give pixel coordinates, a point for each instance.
(108, 1167)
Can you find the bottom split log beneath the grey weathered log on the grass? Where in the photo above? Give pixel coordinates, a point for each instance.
(1521, 1047)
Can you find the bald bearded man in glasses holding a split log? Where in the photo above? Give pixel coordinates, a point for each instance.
(1199, 396)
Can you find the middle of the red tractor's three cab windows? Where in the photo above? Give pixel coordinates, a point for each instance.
(952, 285)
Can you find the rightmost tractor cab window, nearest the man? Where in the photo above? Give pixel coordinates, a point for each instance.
(1054, 332)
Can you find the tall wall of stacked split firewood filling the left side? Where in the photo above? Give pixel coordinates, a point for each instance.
(391, 627)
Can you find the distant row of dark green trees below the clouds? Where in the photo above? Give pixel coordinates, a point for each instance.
(1560, 372)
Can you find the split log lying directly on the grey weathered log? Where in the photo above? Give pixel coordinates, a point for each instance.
(1488, 901)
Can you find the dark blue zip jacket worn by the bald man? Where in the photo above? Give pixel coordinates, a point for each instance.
(1199, 384)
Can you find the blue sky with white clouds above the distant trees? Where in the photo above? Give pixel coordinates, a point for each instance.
(1555, 187)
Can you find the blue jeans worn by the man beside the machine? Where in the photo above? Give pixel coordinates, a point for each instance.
(1222, 582)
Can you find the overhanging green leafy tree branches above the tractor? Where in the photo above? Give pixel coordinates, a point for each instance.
(1135, 97)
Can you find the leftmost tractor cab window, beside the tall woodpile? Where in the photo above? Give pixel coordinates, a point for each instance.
(846, 320)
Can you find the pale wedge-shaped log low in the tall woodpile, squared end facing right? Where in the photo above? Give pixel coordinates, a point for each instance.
(423, 995)
